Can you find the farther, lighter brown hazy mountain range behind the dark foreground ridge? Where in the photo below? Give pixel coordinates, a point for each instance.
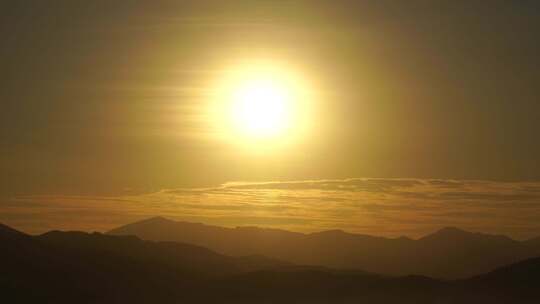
(449, 253)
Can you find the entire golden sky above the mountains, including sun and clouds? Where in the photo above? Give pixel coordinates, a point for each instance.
(104, 98)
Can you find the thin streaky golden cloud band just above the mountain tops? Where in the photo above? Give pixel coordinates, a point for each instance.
(388, 207)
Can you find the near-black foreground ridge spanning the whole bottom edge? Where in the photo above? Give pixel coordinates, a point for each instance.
(77, 267)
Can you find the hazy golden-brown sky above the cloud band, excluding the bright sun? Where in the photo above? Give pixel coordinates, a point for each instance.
(108, 98)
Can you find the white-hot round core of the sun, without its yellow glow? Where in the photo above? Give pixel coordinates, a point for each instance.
(261, 107)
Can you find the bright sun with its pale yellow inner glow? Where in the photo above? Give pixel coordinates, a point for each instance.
(261, 102)
